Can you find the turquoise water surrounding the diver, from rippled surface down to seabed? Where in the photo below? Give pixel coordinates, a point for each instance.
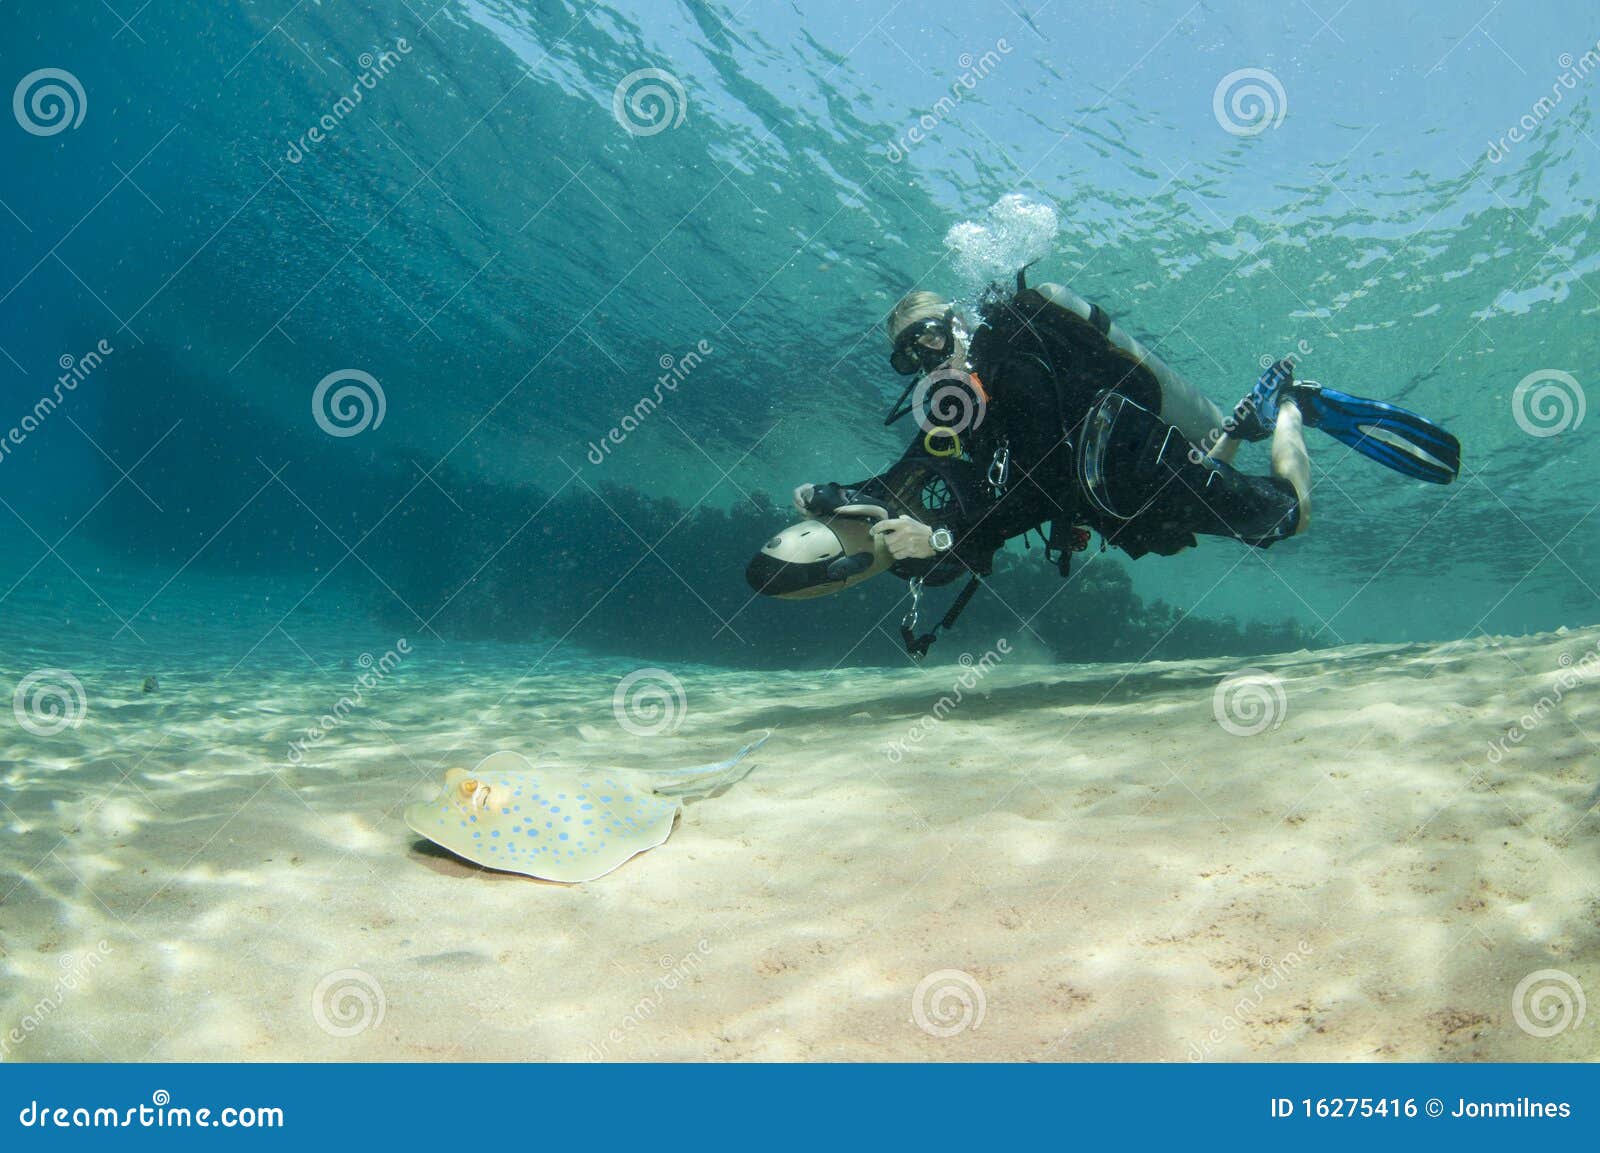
(487, 239)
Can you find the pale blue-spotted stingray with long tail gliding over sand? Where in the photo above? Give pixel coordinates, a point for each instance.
(562, 824)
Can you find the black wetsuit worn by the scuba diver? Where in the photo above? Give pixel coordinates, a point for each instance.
(1046, 372)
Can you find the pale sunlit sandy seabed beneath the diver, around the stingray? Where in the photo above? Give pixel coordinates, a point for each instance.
(1071, 863)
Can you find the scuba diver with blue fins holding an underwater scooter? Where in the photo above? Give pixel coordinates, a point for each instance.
(1050, 420)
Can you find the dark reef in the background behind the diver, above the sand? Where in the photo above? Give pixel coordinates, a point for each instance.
(599, 567)
